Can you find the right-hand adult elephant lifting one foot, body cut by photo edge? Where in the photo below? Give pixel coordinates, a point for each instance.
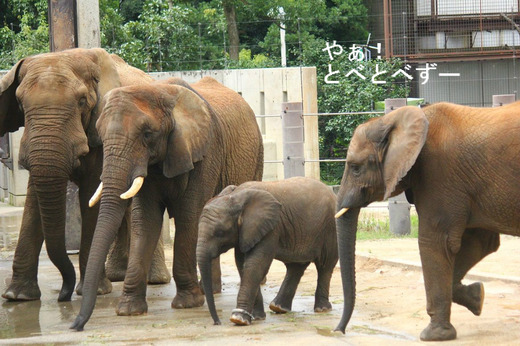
(459, 166)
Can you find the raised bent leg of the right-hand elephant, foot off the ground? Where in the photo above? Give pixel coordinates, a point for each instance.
(475, 245)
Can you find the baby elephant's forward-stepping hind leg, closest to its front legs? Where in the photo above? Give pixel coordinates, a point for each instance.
(282, 303)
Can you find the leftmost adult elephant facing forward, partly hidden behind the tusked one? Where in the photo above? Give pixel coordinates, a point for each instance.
(57, 97)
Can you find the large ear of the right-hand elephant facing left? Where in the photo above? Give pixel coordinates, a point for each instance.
(407, 130)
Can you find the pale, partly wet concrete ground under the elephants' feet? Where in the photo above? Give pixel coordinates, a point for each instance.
(390, 306)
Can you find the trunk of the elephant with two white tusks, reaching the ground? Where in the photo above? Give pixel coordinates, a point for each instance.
(111, 212)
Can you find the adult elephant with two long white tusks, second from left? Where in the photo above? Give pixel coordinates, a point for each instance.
(189, 142)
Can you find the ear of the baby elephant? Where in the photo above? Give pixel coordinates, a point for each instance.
(261, 213)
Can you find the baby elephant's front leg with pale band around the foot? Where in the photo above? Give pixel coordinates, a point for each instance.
(249, 300)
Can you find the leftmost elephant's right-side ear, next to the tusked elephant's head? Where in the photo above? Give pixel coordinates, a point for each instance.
(108, 80)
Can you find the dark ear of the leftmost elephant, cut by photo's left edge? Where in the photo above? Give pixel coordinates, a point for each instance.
(11, 116)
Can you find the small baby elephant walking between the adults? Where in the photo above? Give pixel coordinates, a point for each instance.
(291, 220)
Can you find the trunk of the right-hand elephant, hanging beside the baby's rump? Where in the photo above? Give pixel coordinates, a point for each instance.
(347, 228)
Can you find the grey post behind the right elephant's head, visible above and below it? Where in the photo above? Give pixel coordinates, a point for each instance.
(398, 206)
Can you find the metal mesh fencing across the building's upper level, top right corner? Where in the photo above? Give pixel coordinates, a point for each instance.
(447, 29)
